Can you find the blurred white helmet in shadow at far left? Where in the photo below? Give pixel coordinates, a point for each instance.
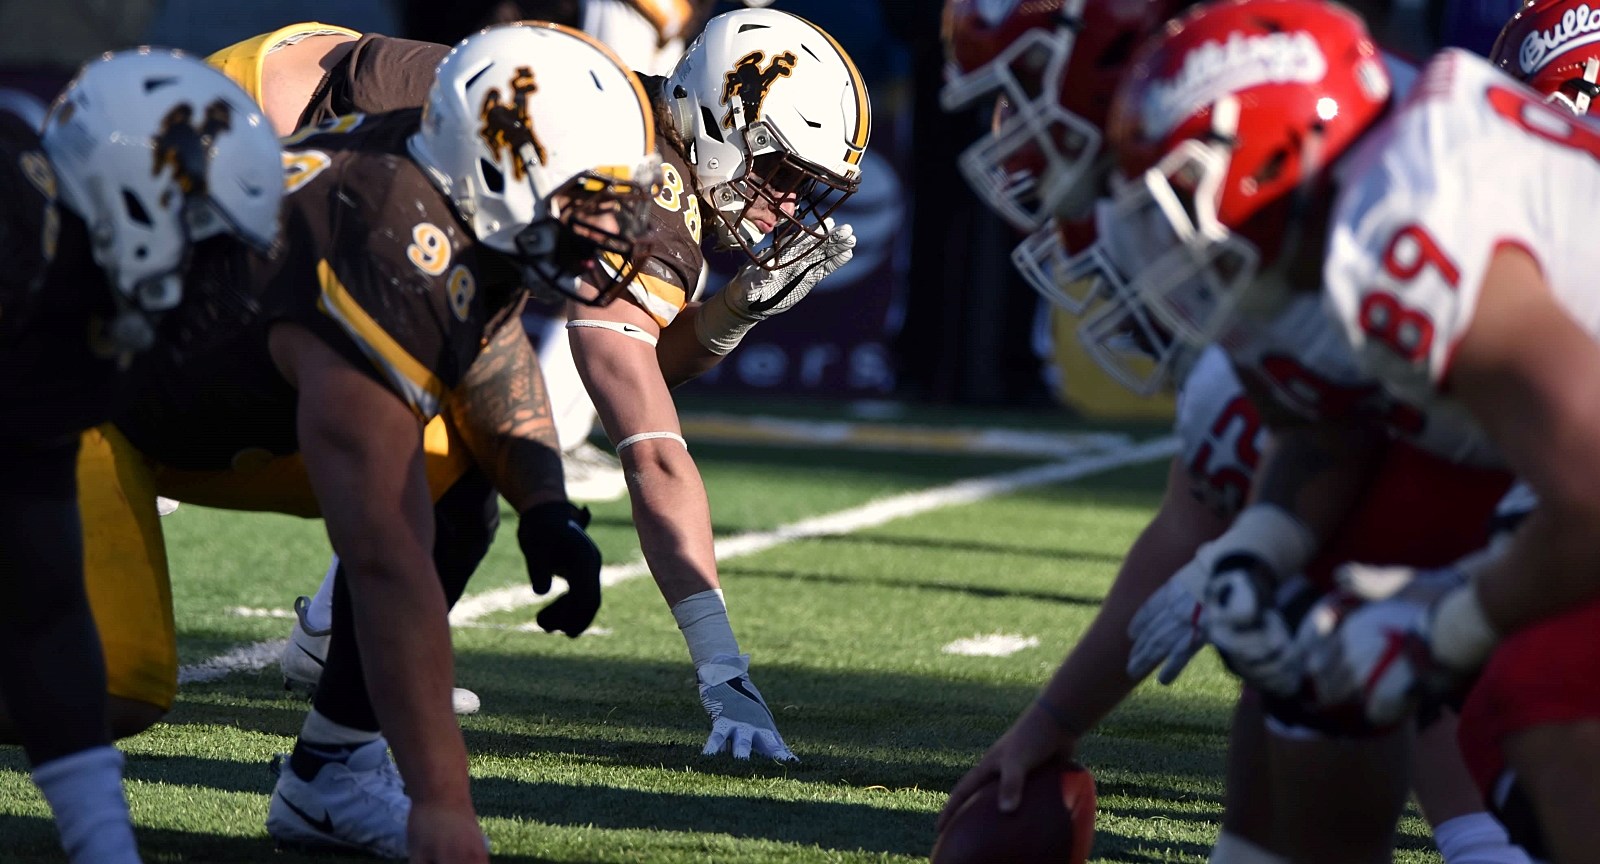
(158, 151)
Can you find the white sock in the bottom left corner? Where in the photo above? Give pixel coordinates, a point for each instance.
(86, 793)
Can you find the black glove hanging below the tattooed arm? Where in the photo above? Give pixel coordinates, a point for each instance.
(554, 543)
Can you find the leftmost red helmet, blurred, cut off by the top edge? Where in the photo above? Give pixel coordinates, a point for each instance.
(1054, 65)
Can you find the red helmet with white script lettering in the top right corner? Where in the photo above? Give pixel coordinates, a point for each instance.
(1554, 46)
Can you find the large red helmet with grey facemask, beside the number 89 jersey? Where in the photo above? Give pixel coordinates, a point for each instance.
(1225, 132)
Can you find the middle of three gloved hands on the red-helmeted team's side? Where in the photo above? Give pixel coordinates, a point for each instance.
(1249, 631)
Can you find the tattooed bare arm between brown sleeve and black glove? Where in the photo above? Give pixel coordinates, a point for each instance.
(503, 414)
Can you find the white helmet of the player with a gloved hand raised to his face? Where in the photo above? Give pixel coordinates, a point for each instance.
(770, 108)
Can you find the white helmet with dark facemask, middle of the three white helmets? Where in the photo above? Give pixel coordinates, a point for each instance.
(534, 130)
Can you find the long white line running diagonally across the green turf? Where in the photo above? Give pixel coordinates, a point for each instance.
(873, 514)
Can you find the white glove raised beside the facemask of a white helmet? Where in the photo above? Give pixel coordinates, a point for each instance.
(756, 294)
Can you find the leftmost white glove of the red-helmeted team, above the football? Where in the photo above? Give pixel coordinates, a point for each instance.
(1167, 628)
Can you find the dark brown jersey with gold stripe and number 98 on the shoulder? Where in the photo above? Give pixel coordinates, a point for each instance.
(374, 262)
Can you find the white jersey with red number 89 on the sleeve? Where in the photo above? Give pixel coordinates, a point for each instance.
(1470, 162)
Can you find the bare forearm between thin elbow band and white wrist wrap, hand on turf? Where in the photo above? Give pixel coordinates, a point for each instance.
(673, 518)
